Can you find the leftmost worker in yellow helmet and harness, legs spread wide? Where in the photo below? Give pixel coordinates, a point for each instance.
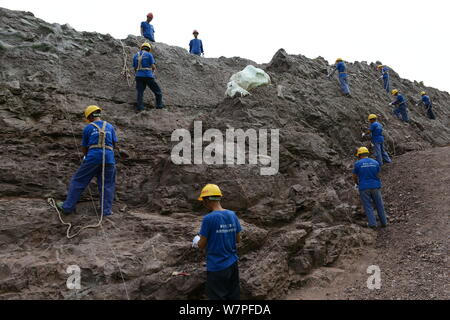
(99, 141)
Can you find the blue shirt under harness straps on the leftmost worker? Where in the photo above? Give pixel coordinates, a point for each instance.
(91, 137)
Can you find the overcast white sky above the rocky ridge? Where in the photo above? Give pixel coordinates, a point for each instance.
(410, 36)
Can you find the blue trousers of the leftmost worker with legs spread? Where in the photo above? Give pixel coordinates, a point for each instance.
(81, 180)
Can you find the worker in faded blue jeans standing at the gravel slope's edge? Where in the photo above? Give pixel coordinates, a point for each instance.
(366, 176)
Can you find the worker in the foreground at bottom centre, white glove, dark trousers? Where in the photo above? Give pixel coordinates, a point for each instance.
(219, 233)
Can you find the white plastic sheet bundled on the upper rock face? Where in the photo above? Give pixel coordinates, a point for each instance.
(246, 80)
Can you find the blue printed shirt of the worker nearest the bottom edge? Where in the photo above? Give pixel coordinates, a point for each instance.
(220, 228)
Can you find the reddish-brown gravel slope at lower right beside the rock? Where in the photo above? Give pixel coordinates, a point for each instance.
(413, 252)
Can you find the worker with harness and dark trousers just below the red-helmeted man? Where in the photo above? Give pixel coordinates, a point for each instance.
(145, 66)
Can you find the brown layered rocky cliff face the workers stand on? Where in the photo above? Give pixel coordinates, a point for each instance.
(303, 218)
